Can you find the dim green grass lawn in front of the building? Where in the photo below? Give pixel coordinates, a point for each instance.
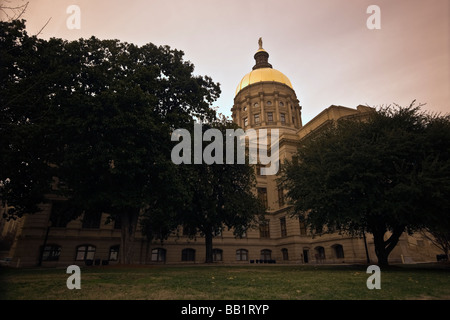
(250, 282)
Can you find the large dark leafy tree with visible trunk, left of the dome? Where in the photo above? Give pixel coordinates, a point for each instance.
(116, 155)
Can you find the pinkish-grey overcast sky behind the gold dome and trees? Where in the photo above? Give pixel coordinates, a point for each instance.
(323, 46)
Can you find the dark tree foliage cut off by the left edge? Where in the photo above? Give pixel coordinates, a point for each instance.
(25, 176)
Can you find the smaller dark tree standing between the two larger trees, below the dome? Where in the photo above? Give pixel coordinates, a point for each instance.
(221, 195)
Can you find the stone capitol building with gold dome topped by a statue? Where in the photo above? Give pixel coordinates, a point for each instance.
(265, 98)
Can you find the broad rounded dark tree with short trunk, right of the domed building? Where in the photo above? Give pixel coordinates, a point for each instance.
(369, 176)
